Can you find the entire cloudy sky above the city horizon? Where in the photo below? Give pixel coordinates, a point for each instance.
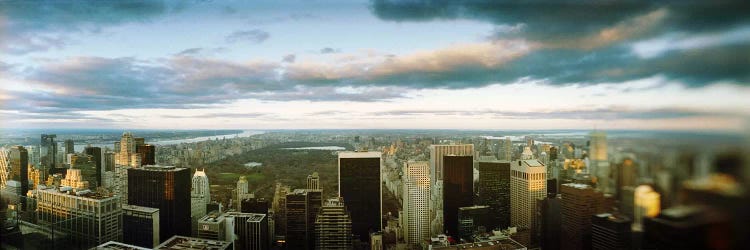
(499, 65)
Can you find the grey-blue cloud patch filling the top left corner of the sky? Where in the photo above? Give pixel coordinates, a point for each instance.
(32, 25)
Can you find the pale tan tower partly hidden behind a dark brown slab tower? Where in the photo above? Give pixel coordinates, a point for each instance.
(436, 177)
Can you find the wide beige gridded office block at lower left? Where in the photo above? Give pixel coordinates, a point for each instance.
(89, 218)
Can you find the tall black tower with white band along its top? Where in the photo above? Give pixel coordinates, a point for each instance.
(360, 187)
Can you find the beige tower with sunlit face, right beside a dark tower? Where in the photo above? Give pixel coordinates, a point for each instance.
(528, 183)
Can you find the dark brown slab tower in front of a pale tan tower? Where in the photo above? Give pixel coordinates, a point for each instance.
(458, 189)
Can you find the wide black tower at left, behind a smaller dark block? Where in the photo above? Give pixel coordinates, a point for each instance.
(165, 188)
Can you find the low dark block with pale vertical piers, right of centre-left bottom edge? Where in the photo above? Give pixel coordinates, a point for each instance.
(249, 231)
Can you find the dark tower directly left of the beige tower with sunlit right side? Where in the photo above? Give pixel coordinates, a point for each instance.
(494, 191)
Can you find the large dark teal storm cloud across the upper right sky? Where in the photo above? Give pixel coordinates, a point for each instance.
(585, 42)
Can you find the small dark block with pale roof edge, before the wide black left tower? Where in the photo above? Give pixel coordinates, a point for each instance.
(140, 226)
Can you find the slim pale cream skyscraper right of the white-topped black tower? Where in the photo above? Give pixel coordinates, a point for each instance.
(416, 198)
